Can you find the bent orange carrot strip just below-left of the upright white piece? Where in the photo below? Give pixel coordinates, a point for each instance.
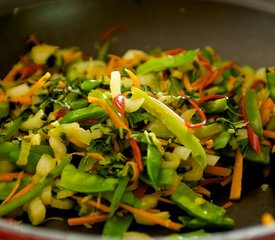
(114, 117)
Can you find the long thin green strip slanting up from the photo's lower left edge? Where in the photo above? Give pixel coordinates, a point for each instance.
(35, 191)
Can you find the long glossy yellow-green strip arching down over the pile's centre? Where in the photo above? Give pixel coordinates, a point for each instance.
(175, 124)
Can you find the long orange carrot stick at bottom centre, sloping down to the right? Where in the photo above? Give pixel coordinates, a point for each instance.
(151, 217)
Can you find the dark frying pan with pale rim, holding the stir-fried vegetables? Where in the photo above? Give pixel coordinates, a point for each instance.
(243, 31)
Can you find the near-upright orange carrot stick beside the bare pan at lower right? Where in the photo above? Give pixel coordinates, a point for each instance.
(236, 187)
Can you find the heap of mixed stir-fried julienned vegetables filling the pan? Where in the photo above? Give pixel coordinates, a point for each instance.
(122, 139)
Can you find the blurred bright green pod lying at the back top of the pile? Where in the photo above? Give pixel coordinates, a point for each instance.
(156, 64)
